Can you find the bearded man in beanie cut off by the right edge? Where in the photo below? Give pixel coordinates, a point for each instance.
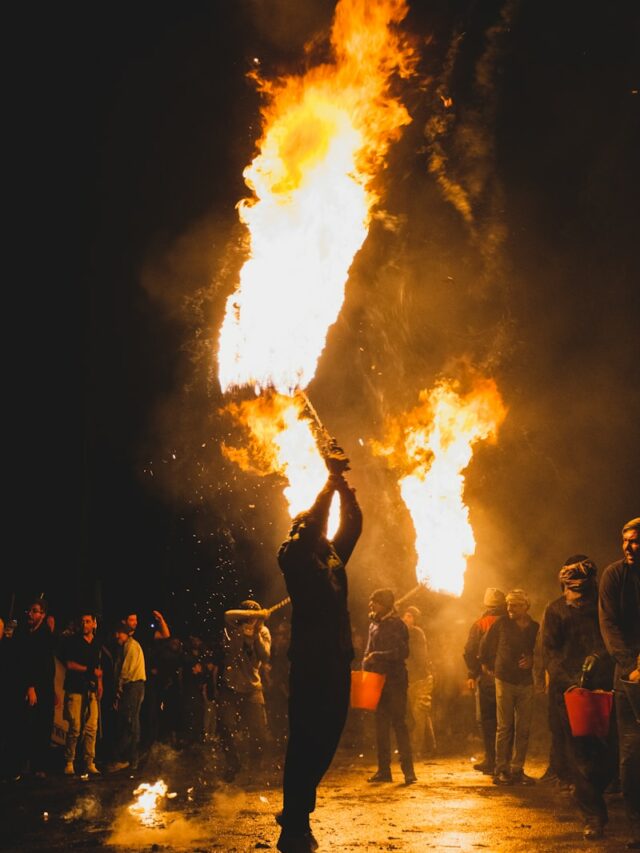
(619, 610)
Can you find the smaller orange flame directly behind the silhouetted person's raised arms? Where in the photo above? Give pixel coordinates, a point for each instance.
(280, 440)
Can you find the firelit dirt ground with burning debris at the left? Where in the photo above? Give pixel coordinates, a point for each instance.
(452, 807)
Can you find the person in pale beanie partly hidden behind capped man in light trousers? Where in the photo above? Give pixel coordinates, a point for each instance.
(482, 683)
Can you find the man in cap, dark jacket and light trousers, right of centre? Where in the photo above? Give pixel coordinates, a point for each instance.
(506, 651)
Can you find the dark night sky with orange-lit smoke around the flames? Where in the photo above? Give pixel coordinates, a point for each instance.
(141, 118)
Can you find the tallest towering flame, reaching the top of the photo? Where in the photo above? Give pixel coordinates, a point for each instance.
(325, 138)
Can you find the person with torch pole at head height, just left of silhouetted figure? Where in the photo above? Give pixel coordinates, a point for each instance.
(241, 709)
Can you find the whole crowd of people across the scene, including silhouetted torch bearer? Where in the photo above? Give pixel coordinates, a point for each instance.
(280, 697)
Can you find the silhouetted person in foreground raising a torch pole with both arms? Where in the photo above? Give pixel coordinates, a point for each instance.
(320, 650)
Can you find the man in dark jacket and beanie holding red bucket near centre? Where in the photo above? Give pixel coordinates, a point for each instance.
(386, 653)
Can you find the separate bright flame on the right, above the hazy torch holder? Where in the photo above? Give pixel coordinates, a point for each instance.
(431, 447)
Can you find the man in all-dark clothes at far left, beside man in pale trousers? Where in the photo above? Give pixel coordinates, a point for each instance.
(35, 677)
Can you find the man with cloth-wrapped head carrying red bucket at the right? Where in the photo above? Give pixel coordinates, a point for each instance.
(572, 647)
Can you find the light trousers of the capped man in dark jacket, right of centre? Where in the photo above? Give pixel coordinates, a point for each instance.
(514, 707)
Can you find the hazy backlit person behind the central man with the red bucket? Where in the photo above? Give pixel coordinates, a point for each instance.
(419, 701)
